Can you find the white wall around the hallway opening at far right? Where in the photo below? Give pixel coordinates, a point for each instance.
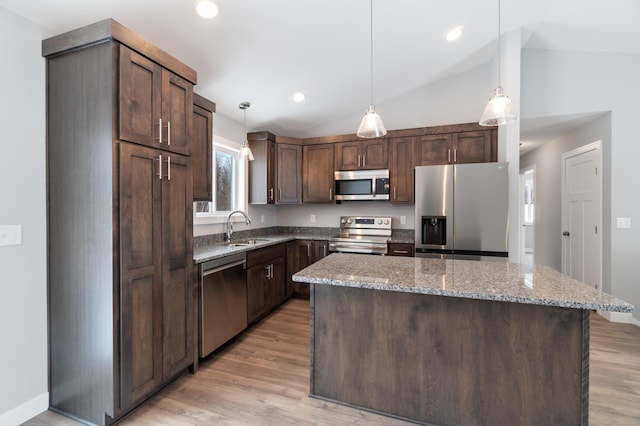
(560, 83)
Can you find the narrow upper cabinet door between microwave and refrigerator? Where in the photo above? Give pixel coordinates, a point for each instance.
(401, 170)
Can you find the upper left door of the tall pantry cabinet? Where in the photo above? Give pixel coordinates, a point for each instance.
(140, 81)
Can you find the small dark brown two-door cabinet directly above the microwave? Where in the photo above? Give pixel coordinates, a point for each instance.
(361, 155)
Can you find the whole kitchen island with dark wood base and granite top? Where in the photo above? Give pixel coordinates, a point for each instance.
(451, 342)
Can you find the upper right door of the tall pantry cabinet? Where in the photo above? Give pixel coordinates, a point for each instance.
(177, 115)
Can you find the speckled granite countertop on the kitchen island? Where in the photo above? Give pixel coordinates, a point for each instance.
(487, 280)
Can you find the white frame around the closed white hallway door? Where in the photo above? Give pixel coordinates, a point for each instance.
(597, 145)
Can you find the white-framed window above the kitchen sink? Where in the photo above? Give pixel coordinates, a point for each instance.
(229, 184)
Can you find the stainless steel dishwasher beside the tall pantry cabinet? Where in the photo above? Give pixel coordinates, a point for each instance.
(223, 308)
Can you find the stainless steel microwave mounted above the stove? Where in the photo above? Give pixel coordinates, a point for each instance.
(361, 185)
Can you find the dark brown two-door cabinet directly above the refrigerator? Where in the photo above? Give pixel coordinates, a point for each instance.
(461, 147)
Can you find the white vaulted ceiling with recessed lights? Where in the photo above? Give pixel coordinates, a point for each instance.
(263, 51)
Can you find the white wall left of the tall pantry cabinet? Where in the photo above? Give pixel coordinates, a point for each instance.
(23, 291)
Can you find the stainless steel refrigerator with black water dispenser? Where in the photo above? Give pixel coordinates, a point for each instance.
(462, 211)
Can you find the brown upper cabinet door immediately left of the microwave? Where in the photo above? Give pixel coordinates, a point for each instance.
(317, 169)
